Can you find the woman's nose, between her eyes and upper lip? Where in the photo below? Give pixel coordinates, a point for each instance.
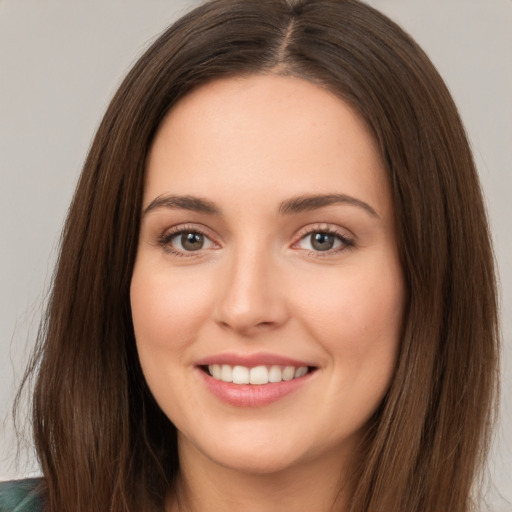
(252, 298)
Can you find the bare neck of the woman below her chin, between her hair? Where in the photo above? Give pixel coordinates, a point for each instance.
(322, 486)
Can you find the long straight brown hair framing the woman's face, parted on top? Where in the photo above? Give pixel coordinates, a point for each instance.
(102, 441)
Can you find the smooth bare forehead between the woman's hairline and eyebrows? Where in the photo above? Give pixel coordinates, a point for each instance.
(264, 133)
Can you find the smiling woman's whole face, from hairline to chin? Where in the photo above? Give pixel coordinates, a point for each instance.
(267, 249)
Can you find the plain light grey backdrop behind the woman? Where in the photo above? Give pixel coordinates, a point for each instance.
(60, 62)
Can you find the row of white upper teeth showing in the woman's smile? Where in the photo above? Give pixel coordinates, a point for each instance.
(257, 375)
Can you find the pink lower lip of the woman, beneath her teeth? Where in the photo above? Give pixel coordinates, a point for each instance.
(252, 395)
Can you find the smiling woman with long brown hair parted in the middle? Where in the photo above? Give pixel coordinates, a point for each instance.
(275, 287)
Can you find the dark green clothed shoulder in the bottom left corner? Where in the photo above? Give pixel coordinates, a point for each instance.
(20, 495)
